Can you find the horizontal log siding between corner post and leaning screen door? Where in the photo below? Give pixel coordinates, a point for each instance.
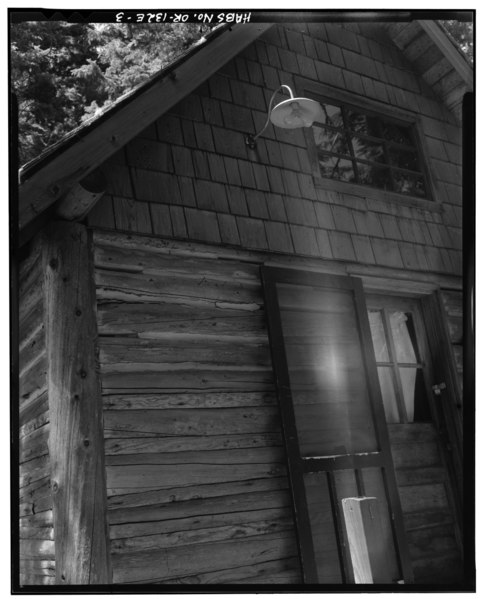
(196, 472)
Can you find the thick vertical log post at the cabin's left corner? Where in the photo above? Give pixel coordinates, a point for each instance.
(76, 437)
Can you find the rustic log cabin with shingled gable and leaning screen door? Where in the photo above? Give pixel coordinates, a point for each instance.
(242, 363)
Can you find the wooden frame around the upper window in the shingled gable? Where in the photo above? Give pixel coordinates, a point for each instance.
(392, 113)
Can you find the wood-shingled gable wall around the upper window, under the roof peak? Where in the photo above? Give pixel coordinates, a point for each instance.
(189, 175)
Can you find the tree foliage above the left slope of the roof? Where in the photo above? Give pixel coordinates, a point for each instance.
(64, 73)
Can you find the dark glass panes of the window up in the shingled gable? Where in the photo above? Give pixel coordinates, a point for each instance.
(360, 147)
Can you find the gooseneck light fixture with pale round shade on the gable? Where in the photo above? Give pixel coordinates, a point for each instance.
(293, 113)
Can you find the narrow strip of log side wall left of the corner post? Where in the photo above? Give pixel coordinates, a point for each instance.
(37, 555)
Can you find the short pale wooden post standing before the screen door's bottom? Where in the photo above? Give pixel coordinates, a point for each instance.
(365, 538)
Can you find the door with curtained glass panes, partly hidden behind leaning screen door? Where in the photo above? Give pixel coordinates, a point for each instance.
(415, 426)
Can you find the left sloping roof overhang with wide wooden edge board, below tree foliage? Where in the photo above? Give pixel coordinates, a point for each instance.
(49, 178)
